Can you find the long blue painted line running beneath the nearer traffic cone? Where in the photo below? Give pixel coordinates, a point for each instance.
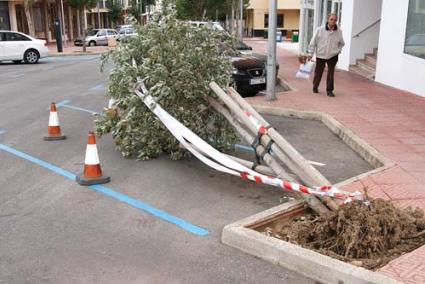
(111, 193)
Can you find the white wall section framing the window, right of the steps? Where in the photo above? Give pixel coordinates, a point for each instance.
(395, 68)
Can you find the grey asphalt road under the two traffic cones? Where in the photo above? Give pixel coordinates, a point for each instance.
(54, 231)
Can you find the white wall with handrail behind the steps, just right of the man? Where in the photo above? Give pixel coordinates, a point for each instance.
(356, 16)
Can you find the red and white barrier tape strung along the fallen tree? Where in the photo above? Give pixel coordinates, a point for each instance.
(220, 162)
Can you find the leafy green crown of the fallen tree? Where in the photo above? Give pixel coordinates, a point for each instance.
(177, 62)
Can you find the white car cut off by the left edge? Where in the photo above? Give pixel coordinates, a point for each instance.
(16, 46)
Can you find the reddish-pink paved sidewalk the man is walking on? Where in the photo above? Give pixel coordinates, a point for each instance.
(391, 120)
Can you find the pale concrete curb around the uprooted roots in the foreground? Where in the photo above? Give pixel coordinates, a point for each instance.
(304, 261)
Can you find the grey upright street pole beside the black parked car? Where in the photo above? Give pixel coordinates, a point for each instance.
(271, 53)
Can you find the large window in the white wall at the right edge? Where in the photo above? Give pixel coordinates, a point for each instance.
(414, 43)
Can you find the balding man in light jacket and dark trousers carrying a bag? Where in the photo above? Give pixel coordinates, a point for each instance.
(327, 43)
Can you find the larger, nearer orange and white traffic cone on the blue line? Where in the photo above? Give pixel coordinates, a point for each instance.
(92, 172)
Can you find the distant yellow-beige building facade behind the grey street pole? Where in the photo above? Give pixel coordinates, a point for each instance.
(288, 17)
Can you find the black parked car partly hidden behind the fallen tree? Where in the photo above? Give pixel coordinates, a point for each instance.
(249, 73)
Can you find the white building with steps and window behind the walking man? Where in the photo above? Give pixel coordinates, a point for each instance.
(385, 39)
